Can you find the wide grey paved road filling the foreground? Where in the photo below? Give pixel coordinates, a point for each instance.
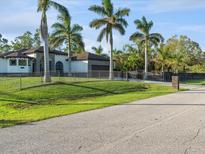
(172, 124)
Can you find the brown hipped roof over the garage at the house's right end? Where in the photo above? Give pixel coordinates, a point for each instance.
(89, 56)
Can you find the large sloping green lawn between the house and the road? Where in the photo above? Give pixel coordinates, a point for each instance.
(63, 98)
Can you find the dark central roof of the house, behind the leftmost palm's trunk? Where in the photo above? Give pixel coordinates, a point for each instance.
(40, 50)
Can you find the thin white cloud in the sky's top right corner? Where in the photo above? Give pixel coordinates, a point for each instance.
(158, 6)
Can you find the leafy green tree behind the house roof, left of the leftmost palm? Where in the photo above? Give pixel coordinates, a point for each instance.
(23, 42)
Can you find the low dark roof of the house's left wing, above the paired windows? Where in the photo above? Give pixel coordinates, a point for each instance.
(15, 54)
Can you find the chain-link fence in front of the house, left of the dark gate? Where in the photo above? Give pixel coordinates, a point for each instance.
(19, 81)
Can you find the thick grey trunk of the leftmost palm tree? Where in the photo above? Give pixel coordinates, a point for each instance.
(44, 36)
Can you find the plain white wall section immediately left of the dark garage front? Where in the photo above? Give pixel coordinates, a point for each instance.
(79, 66)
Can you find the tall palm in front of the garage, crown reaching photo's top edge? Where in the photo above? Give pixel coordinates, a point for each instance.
(110, 20)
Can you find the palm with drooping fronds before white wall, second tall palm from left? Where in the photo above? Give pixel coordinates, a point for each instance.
(65, 33)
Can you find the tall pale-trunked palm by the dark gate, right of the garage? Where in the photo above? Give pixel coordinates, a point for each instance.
(146, 38)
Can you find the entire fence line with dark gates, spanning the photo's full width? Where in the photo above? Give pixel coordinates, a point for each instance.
(17, 81)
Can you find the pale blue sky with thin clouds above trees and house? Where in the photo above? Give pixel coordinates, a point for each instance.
(170, 17)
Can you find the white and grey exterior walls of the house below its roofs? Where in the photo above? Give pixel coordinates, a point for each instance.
(80, 66)
